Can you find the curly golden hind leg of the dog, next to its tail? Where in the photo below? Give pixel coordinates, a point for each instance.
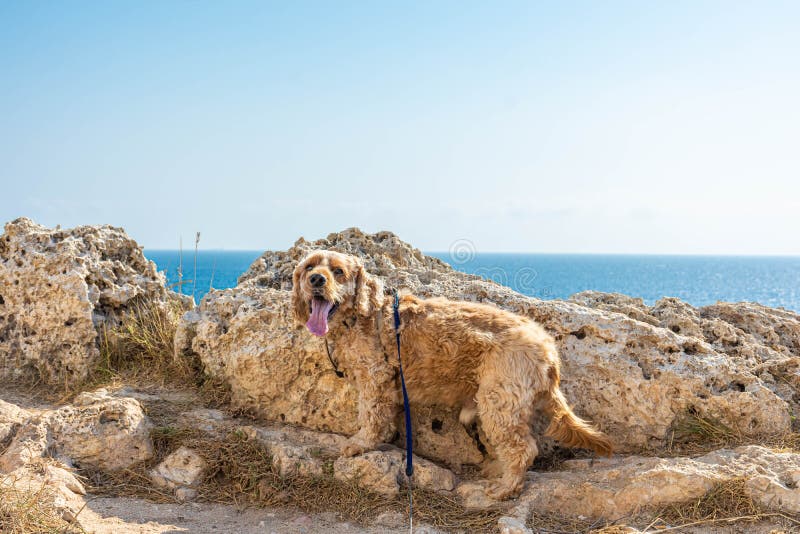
(506, 398)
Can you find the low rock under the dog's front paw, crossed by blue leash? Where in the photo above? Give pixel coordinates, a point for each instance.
(384, 472)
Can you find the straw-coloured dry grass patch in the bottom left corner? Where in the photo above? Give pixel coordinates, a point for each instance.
(26, 512)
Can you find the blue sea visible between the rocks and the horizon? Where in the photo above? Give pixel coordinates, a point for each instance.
(698, 280)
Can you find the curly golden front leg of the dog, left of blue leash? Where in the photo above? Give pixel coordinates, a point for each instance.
(377, 407)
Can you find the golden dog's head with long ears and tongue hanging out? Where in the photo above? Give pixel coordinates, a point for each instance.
(327, 285)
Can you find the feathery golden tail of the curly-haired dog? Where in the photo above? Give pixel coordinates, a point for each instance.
(571, 430)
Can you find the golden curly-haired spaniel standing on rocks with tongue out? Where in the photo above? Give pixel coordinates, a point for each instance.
(490, 363)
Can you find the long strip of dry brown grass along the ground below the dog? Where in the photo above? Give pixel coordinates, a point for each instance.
(240, 473)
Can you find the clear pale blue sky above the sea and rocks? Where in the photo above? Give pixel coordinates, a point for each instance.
(634, 127)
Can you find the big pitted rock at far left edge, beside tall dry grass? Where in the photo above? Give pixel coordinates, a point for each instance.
(57, 288)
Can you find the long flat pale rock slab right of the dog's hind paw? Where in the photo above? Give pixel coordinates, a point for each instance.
(613, 488)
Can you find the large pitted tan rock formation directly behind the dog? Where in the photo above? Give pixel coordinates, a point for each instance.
(634, 371)
